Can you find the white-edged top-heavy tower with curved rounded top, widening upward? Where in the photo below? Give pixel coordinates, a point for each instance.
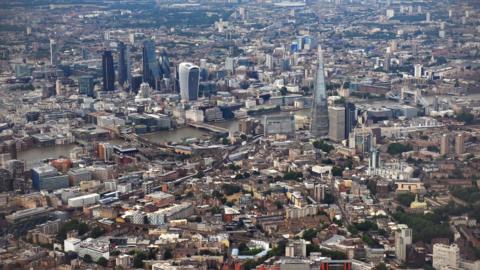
(189, 76)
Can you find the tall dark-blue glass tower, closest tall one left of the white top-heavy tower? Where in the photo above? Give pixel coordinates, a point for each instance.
(151, 70)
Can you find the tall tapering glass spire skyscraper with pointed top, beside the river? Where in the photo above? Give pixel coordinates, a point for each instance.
(319, 122)
